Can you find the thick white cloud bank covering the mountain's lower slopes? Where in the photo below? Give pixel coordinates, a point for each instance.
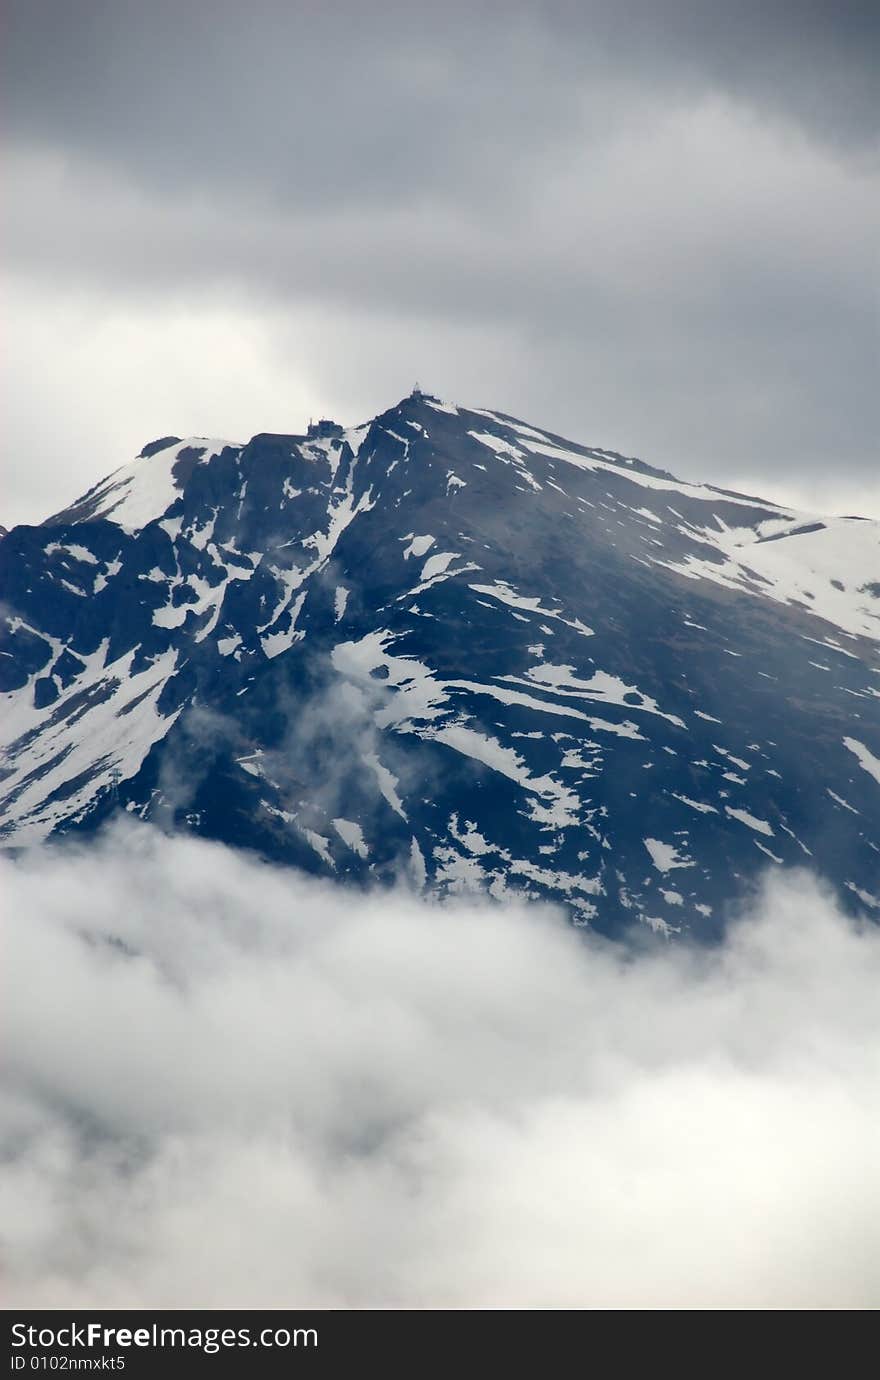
(231, 1087)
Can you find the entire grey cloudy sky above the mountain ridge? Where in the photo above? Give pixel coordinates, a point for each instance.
(648, 226)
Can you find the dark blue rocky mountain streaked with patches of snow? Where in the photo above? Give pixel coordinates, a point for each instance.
(450, 647)
